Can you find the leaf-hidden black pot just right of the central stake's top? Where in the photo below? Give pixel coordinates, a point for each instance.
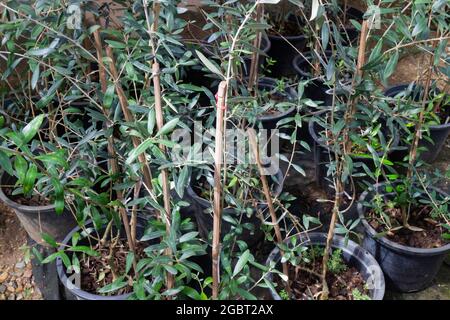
(269, 121)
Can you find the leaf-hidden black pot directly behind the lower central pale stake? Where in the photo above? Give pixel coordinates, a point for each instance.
(202, 210)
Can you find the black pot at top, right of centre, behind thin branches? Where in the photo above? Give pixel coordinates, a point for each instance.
(284, 49)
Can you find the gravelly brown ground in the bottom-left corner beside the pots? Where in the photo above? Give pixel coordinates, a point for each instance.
(16, 276)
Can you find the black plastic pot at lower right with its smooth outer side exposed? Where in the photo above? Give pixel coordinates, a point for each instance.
(407, 268)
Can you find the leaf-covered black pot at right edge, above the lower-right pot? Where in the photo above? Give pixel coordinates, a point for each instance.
(438, 133)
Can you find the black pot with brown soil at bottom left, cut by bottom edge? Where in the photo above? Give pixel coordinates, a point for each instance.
(92, 268)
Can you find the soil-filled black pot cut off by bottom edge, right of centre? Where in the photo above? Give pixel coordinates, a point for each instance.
(357, 271)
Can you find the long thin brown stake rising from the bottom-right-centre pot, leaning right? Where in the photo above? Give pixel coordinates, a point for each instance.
(340, 163)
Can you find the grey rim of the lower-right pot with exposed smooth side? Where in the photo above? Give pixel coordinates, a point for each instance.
(389, 243)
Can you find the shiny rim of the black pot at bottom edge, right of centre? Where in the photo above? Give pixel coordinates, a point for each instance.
(338, 242)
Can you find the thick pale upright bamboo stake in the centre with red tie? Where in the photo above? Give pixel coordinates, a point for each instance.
(218, 159)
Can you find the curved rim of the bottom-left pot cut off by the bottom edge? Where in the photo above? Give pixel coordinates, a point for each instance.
(78, 292)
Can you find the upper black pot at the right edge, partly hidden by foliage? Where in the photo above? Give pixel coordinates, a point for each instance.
(438, 133)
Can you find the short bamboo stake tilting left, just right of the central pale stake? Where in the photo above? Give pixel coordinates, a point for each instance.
(267, 195)
